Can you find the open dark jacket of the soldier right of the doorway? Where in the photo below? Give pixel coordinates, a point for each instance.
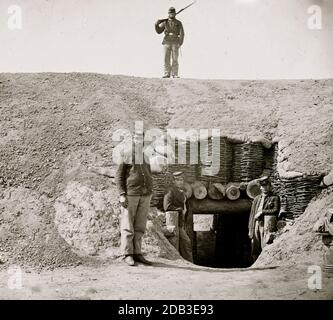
(271, 207)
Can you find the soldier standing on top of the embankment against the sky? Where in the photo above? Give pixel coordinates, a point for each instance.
(173, 40)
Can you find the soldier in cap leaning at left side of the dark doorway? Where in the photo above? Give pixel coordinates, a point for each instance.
(175, 200)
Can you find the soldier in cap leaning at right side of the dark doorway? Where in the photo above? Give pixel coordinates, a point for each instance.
(264, 205)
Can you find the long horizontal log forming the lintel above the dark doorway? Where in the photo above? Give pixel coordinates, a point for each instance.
(225, 206)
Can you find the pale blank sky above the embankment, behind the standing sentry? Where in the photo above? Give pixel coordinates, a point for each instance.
(224, 39)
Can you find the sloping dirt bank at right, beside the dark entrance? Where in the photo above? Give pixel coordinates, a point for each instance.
(298, 243)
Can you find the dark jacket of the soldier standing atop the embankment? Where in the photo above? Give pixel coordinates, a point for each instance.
(173, 30)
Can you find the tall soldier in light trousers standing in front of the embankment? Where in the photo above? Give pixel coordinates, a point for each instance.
(134, 182)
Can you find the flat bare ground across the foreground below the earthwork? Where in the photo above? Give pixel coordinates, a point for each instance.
(166, 280)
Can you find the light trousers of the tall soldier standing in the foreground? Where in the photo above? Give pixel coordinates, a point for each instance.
(133, 224)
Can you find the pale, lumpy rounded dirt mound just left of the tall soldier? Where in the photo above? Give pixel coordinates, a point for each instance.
(85, 219)
